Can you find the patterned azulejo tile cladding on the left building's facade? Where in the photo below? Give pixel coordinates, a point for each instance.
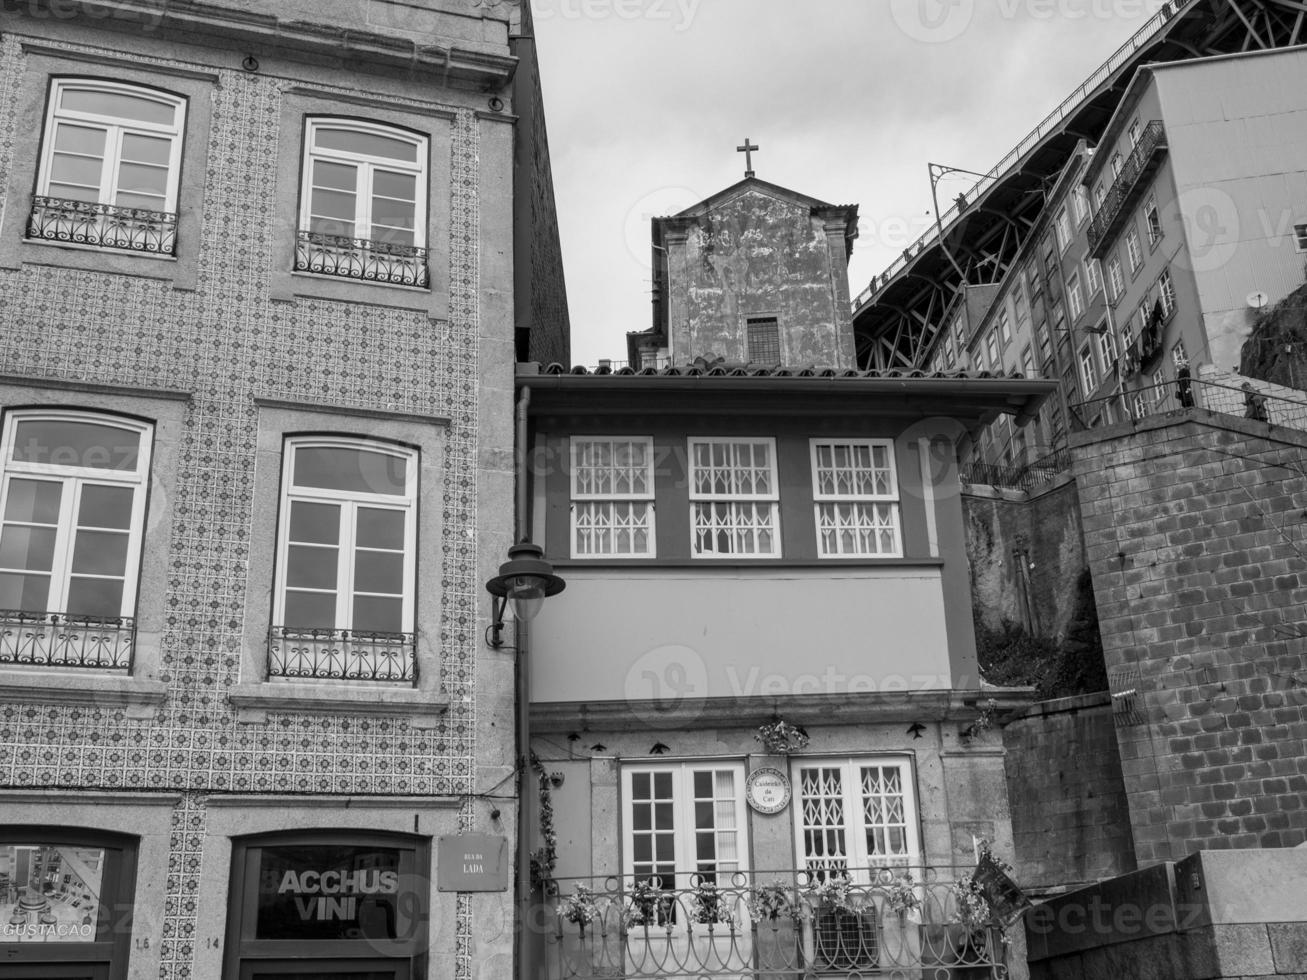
(229, 343)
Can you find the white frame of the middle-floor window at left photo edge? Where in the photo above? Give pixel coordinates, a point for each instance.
(74, 479)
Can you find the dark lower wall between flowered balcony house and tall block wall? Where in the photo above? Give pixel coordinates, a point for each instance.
(1070, 820)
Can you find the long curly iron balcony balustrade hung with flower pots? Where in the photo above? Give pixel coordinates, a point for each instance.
(767, 926)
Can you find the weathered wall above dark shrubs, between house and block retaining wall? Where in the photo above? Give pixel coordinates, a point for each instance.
(1045, 532)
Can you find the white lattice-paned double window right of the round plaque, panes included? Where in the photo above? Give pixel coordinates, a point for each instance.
(855, 816)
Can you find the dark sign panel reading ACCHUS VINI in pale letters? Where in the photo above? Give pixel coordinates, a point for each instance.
(329, 892)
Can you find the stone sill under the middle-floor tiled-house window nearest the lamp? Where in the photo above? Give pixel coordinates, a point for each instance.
(254, 702)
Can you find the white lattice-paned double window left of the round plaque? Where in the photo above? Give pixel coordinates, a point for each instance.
(683, 825)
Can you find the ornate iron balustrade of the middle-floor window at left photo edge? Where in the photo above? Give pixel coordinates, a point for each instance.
(58, 640)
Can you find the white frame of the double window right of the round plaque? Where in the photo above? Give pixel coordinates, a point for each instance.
(857, 859)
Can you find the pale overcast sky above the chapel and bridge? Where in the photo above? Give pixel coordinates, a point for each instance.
(849, 100)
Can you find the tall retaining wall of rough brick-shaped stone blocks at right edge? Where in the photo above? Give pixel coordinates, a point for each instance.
(1195, 534)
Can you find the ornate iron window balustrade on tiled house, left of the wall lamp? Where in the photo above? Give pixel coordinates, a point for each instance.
(342, 655)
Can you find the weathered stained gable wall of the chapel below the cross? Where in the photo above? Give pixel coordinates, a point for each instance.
(761, 255)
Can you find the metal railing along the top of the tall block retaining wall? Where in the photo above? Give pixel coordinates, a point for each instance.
(1215, 397)
